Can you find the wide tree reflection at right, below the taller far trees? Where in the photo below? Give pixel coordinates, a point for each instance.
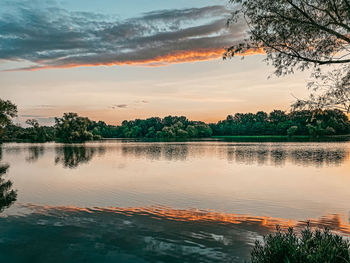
(278, 156)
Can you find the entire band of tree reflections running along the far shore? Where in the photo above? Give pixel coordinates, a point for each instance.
(275, 154)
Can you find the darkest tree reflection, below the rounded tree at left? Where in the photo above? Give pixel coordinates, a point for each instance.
(73, 156)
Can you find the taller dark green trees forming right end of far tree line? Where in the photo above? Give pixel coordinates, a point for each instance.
(314, 123)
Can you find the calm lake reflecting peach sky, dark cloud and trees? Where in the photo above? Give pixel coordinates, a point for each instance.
(133, 201)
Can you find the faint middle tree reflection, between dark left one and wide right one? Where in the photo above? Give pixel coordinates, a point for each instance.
(171, 152)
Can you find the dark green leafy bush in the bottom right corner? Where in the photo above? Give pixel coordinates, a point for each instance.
(318, 246)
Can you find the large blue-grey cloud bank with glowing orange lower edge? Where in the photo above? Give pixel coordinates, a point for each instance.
(51, 37)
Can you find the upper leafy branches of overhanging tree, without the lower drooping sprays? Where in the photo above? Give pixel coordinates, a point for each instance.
(295, 34)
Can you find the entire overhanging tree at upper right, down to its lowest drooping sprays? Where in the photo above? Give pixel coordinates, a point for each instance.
(300, 35)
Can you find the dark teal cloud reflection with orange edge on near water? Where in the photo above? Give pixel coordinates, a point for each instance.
(155, 234)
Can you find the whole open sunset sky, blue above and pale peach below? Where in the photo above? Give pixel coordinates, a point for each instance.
(113, 60)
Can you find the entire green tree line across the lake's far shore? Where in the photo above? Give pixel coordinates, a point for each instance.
(73, 128)
